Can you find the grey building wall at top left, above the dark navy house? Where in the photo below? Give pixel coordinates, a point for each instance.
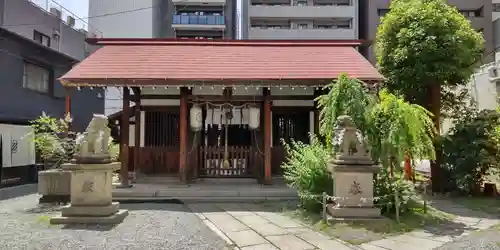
(24, 17)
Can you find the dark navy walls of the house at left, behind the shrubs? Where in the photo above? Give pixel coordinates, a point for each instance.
(18, 103)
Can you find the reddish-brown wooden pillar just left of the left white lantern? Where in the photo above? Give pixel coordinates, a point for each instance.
(183, 117)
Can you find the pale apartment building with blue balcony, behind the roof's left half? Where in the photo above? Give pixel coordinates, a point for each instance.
(190, 19)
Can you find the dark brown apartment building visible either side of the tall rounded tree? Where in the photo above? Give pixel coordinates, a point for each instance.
(479, 12)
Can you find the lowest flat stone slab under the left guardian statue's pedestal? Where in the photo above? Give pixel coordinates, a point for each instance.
(111, 219)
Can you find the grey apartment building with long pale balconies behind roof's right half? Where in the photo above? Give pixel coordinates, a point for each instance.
(300, 19)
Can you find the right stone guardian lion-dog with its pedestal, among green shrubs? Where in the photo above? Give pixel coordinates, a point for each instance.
(352, 171)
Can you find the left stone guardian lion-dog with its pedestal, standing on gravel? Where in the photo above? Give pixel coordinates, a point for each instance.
(92, 180)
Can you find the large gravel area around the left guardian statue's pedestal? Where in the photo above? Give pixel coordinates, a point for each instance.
(25, 226)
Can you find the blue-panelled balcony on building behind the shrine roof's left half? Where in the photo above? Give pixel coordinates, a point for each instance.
(197, 22)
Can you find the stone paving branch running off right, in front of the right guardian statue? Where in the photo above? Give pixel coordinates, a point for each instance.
(466, 221)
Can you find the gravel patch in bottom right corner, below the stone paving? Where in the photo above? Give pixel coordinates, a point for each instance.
(481, 240)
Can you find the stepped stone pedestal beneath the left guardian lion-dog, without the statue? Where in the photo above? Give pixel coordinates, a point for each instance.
(91, 196)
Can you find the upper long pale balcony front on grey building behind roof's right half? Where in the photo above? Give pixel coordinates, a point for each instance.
(308, 12)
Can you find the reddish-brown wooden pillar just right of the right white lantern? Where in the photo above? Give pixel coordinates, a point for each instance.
(267, 137)
